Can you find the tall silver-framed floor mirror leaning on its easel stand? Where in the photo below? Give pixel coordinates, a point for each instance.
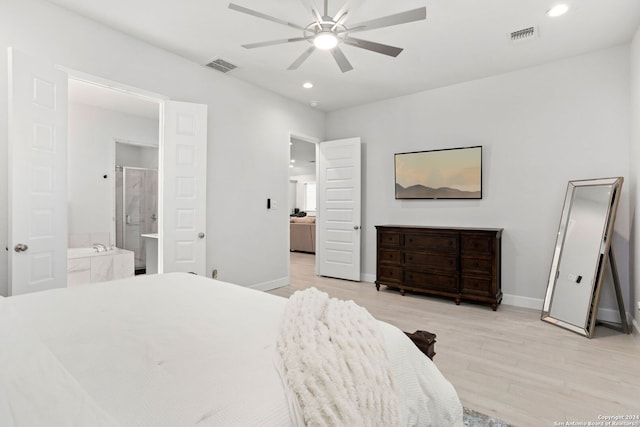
(583, 257)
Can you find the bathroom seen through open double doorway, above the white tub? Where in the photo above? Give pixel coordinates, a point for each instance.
(99, 167)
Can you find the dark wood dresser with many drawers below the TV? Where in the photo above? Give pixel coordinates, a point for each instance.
(460, 263)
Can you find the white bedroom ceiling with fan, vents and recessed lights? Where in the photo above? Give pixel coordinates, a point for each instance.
(460, 40)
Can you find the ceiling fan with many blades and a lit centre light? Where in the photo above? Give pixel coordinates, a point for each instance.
(326, 32)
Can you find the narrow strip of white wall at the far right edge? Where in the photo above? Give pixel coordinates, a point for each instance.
(635, 192)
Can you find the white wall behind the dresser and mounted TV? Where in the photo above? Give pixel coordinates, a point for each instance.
(539, 127)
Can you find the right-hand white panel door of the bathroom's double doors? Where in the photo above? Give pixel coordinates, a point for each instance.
(183, 166)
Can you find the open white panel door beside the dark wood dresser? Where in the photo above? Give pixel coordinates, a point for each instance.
(338, 215)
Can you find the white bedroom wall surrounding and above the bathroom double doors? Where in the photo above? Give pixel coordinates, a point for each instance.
(245, 242)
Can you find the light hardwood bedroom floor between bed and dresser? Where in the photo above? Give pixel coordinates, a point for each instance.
(507, 363)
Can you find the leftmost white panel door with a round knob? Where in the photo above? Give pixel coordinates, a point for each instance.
(37, 175)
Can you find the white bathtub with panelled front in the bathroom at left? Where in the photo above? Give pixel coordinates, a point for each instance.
(87, 265)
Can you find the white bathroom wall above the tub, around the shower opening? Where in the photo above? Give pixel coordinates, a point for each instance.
(91, 143)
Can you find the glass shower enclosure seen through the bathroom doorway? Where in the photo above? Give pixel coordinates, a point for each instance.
(136, 210)
